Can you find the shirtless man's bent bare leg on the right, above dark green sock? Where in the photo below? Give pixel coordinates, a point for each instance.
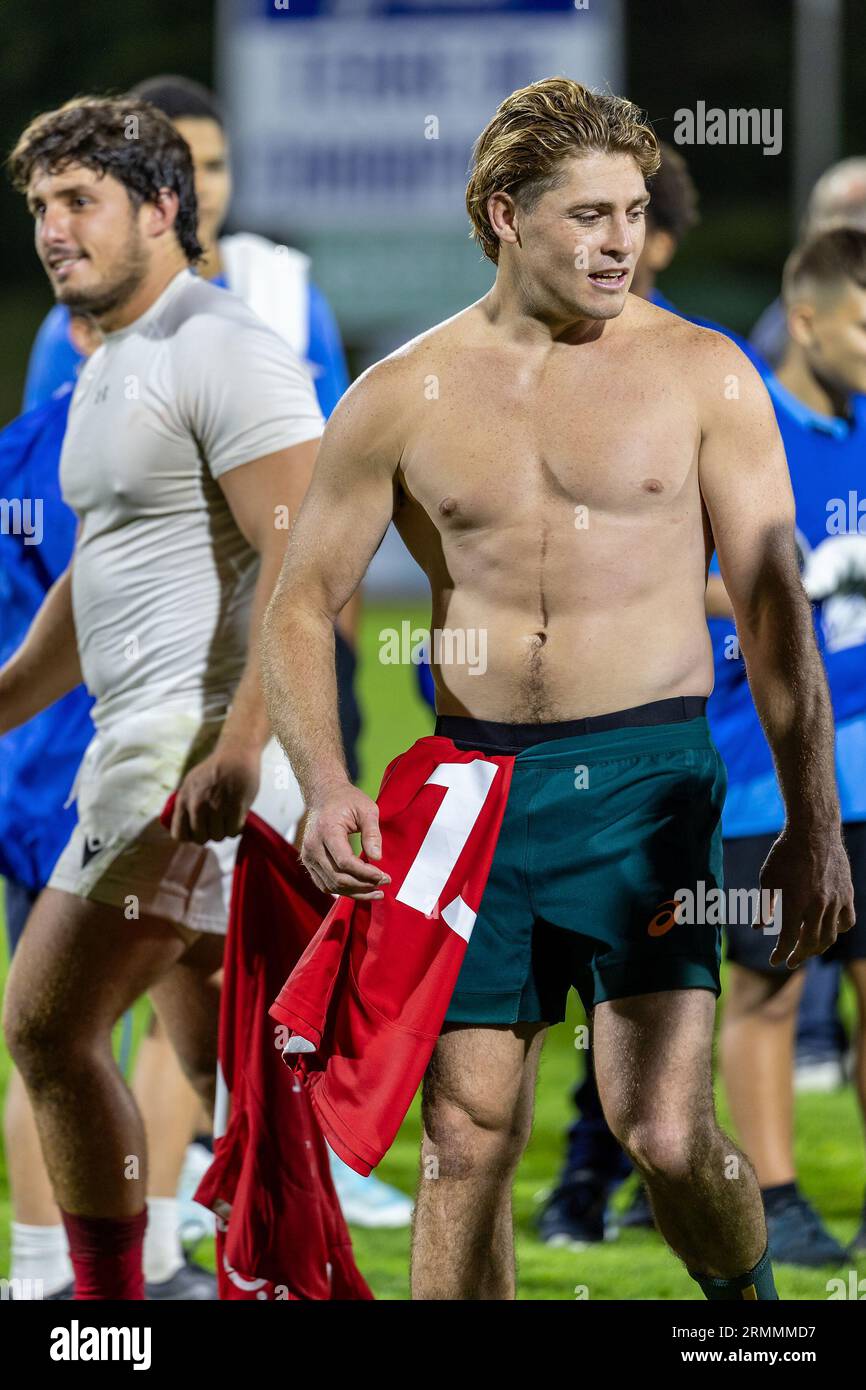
(654, 1068)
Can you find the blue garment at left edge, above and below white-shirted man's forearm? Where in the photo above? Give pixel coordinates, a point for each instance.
(40, 761)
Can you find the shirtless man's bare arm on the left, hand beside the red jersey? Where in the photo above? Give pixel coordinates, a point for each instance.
(338, 530)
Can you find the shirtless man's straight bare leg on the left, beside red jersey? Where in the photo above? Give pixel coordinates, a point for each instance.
(477, 1110)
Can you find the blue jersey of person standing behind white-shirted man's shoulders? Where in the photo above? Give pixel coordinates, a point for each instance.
(56, 361)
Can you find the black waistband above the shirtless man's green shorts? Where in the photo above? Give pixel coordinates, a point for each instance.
(490, 736)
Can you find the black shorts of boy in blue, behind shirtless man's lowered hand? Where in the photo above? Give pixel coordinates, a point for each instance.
(743, 864)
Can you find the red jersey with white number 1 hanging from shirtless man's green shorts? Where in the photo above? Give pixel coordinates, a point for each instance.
(365, 1006)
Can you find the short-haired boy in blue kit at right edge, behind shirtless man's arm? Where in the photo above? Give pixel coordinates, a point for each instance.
(819, 394)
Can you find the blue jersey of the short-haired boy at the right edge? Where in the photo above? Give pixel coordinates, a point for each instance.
(828, 464)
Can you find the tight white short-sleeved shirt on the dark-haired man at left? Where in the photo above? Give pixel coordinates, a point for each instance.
(162, 576)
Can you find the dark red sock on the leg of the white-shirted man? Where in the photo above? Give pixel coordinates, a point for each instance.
(108, 1256)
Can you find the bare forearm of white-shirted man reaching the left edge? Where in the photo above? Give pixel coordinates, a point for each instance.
(45, 668)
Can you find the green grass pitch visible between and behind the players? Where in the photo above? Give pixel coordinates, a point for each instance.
(637, 1266)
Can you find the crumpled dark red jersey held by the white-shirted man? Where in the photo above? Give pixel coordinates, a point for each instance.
(280, 1228)
